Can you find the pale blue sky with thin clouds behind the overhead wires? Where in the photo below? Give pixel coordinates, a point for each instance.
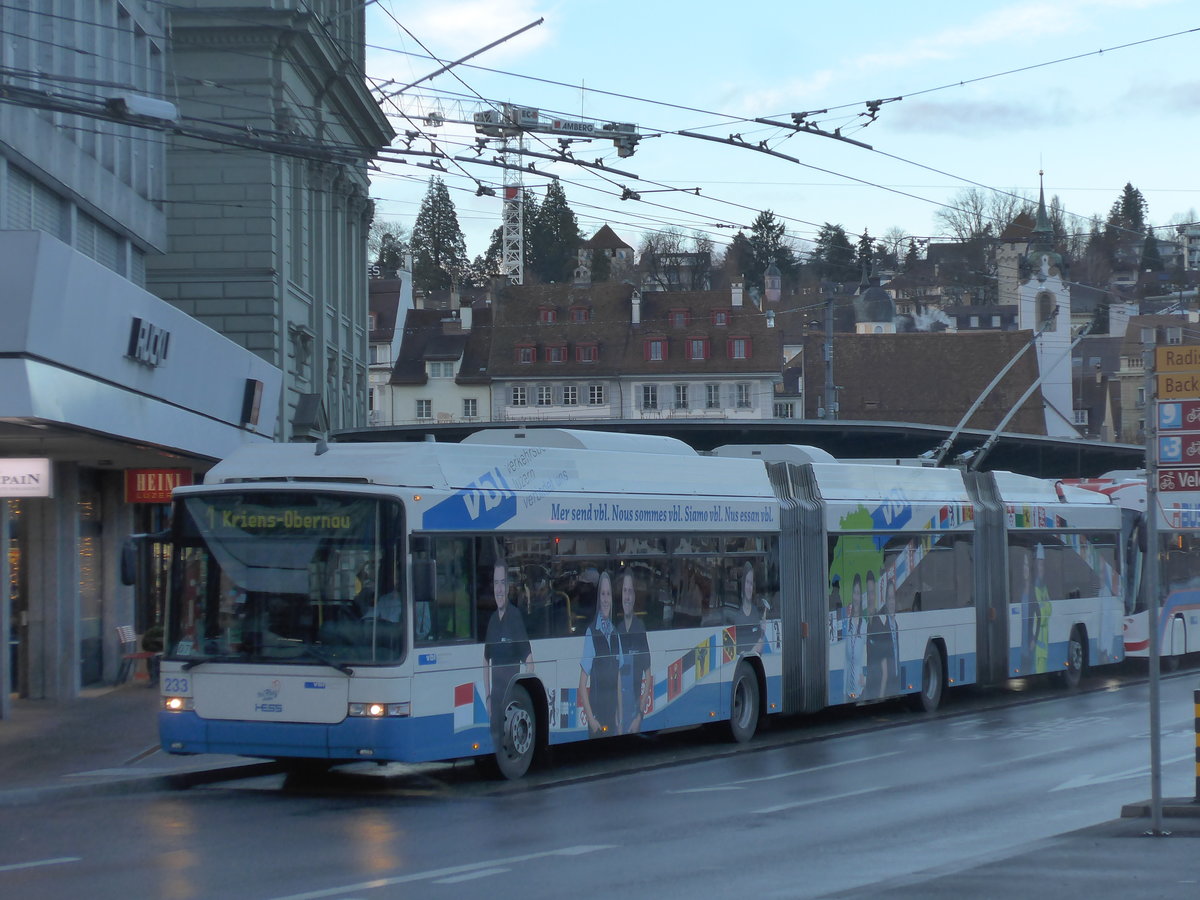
(986, 93)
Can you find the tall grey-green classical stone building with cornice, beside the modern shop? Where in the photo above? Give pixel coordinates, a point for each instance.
(267, 238)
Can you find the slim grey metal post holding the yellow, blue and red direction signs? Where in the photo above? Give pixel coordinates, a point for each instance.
(1153, 581)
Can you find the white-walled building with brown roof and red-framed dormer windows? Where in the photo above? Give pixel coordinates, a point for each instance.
(609, 351)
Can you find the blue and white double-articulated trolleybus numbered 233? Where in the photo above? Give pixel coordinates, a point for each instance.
(423, 602)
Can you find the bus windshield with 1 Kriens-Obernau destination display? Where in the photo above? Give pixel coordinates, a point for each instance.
(287, 577)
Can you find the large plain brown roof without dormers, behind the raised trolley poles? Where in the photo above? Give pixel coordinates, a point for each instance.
(931, 379)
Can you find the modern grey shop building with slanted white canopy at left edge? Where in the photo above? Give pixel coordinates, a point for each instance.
(105, 389)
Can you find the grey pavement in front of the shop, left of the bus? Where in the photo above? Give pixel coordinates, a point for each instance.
(106, 742)
